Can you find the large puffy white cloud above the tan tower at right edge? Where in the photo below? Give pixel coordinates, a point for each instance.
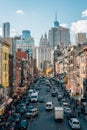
(79, 26)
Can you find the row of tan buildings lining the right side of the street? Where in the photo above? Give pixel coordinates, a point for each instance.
(74, 64)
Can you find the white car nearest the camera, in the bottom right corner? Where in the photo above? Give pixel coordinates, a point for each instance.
(74, 123)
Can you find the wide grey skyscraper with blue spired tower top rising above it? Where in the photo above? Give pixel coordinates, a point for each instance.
(58, 35)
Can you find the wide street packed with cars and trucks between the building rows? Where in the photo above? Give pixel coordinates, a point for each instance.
(45, 106)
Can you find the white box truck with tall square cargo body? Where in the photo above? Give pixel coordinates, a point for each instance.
(58, 113)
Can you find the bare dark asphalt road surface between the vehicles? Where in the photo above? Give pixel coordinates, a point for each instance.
(45, 120)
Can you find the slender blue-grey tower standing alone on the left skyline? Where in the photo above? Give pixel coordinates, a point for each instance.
(6, 30)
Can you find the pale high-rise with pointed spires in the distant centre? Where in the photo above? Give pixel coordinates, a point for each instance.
(44, 54)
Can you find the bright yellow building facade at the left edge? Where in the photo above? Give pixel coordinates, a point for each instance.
(5, 67)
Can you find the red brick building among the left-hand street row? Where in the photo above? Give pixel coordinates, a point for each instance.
(21, 70)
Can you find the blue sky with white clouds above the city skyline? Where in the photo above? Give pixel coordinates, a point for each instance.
(38, 16)
